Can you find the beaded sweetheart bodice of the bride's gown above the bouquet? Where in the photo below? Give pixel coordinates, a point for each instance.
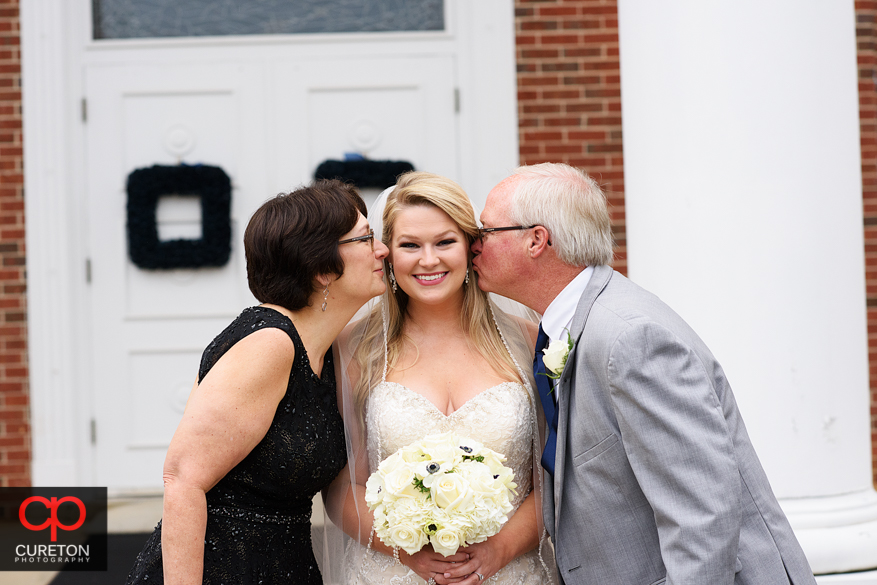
(499, 417)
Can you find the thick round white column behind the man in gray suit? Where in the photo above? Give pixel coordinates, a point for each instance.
(744, 213)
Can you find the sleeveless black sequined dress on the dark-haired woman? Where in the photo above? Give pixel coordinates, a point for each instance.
(259, 514)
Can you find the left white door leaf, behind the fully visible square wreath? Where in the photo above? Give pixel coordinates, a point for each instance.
(150, 326)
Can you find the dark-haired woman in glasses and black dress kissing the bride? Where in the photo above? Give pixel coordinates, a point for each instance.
(261, 434)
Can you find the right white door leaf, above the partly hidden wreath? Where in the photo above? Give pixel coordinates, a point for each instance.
(385, 108)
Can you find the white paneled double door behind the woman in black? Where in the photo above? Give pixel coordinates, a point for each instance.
(268, 119)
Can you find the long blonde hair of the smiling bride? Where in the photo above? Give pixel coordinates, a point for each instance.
(476, 317)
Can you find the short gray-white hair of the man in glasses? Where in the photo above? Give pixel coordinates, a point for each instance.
(570, 205)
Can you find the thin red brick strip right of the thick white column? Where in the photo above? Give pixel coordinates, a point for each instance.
(866, 33)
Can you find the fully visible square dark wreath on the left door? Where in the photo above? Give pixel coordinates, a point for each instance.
(146, 186)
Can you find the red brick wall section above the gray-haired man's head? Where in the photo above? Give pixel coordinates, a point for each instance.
(569, 93)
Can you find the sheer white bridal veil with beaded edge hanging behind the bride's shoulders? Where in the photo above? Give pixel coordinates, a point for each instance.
(361, 362)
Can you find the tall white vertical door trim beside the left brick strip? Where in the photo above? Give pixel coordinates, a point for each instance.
(56, 325)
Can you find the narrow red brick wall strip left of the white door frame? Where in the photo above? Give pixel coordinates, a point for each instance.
(15, 453)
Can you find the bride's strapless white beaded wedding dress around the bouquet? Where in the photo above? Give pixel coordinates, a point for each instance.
(500, 417)
